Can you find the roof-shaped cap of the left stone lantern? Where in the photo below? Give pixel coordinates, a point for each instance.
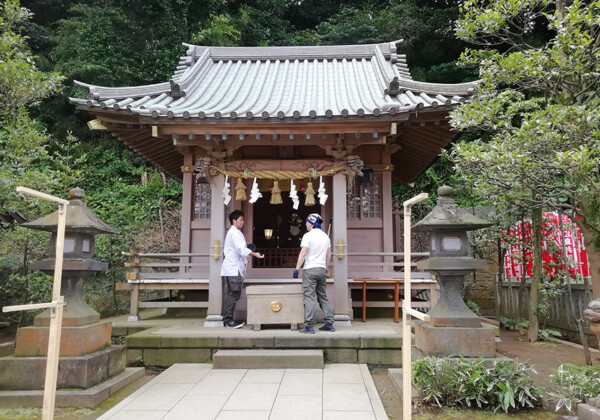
(79, 218)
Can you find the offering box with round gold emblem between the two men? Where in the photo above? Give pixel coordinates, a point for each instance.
(278, 304)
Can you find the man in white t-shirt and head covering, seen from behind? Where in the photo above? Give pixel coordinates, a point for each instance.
(315, 255)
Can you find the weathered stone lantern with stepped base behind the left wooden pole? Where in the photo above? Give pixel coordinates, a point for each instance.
(87, 358)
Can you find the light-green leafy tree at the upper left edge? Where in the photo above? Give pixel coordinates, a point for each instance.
(23, 157)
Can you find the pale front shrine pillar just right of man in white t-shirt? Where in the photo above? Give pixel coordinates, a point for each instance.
(340, 245)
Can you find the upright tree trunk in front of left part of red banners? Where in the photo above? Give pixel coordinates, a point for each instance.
(536, 279)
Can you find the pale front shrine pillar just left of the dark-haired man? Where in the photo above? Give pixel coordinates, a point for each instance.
(214, 317)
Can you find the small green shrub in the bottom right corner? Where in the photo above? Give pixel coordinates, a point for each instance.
(577, 385)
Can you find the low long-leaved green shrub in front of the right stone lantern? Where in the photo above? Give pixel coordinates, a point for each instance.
(465, 383)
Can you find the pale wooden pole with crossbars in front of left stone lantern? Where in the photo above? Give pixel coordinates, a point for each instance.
(56, 307)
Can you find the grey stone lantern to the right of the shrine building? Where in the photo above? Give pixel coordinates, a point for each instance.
(453, 329)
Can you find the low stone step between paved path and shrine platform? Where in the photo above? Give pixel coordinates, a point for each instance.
(268, 359)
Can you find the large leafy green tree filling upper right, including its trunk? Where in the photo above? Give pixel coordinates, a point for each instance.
(538, 104)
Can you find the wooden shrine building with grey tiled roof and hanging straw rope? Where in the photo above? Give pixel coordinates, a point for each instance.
(323, 129)
